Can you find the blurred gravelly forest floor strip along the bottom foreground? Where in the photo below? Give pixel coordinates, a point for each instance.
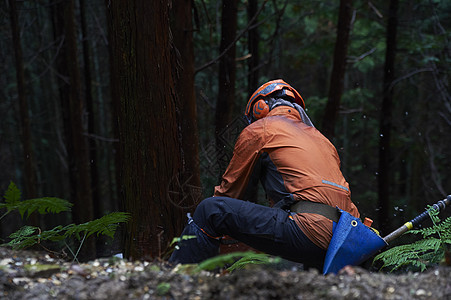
(35, 275)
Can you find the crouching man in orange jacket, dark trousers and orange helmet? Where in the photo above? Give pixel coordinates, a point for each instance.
(300, 172)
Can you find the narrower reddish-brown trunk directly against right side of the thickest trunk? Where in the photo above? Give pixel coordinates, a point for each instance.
(190, 185)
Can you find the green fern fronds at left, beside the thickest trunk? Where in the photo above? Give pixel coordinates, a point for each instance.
(30, 235)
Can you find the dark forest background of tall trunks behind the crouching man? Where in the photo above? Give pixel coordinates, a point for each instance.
(135, 105)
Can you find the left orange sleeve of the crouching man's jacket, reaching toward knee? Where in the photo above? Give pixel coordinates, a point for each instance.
(245, 155)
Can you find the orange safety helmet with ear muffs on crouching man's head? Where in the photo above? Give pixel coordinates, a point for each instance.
(258, 107)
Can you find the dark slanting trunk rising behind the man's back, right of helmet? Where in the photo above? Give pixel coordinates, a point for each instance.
(338, 69)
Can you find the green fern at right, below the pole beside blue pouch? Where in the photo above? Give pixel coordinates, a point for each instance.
(427, 251)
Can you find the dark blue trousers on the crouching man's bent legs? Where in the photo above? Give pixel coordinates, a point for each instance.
(270, 230)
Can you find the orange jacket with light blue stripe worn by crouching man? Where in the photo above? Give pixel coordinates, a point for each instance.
(291, 160)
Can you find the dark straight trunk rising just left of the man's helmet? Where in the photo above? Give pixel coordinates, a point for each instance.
(226, 82)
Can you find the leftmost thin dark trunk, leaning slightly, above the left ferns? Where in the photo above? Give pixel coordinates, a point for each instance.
(28, 154)
